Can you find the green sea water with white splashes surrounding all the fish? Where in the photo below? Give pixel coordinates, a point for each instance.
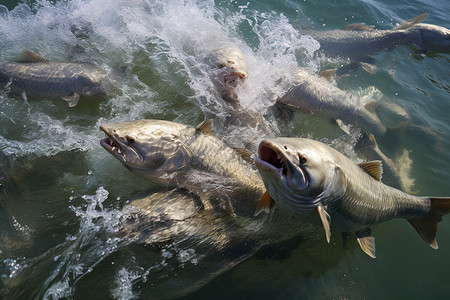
(61, 193)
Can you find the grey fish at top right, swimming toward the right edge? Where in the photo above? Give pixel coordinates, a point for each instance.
(360, 41)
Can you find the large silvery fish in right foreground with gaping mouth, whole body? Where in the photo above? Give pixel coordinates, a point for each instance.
(322, 185)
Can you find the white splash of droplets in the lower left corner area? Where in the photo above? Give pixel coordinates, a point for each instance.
(84, 250)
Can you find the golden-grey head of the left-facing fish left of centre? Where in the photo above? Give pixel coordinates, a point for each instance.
(153, 148)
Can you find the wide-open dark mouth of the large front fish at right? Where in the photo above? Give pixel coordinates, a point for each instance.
(270, 160)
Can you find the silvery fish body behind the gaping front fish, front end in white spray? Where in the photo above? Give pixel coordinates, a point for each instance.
(313, 94)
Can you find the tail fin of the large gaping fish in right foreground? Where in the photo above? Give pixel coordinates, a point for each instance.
(427, 227)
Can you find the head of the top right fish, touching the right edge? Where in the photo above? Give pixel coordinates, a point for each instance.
(433, 38)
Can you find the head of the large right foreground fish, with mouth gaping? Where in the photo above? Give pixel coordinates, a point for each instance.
(298, 173)
